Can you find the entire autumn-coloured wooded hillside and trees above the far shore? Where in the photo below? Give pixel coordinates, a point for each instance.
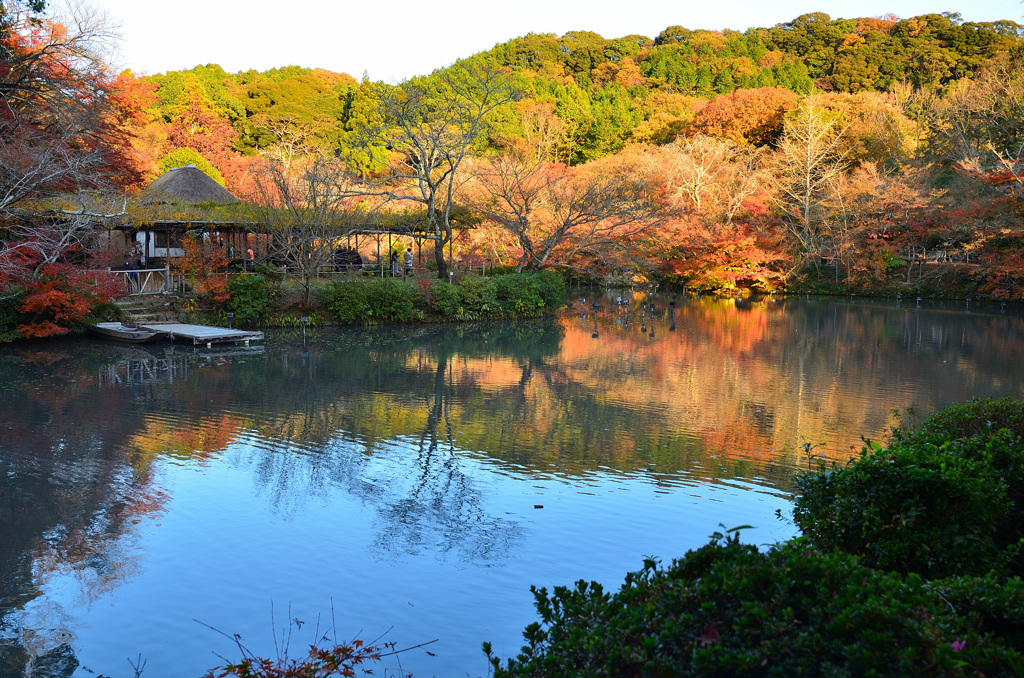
(824, 155)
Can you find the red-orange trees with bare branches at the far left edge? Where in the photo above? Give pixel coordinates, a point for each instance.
(62, 146)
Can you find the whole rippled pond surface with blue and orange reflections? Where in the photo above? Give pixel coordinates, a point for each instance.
(413, 483)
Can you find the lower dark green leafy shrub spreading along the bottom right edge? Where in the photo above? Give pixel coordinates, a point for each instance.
(728, 610)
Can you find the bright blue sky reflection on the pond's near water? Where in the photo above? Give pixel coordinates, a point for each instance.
(228, 547)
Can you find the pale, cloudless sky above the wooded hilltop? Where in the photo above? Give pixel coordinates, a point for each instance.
(398, 39)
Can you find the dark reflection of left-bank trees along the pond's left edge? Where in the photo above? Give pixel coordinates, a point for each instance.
(70, 491)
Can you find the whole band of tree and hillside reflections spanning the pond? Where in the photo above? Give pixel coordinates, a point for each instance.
(399, 417)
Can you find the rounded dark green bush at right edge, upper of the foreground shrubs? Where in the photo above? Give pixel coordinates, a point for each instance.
(942, 500)
